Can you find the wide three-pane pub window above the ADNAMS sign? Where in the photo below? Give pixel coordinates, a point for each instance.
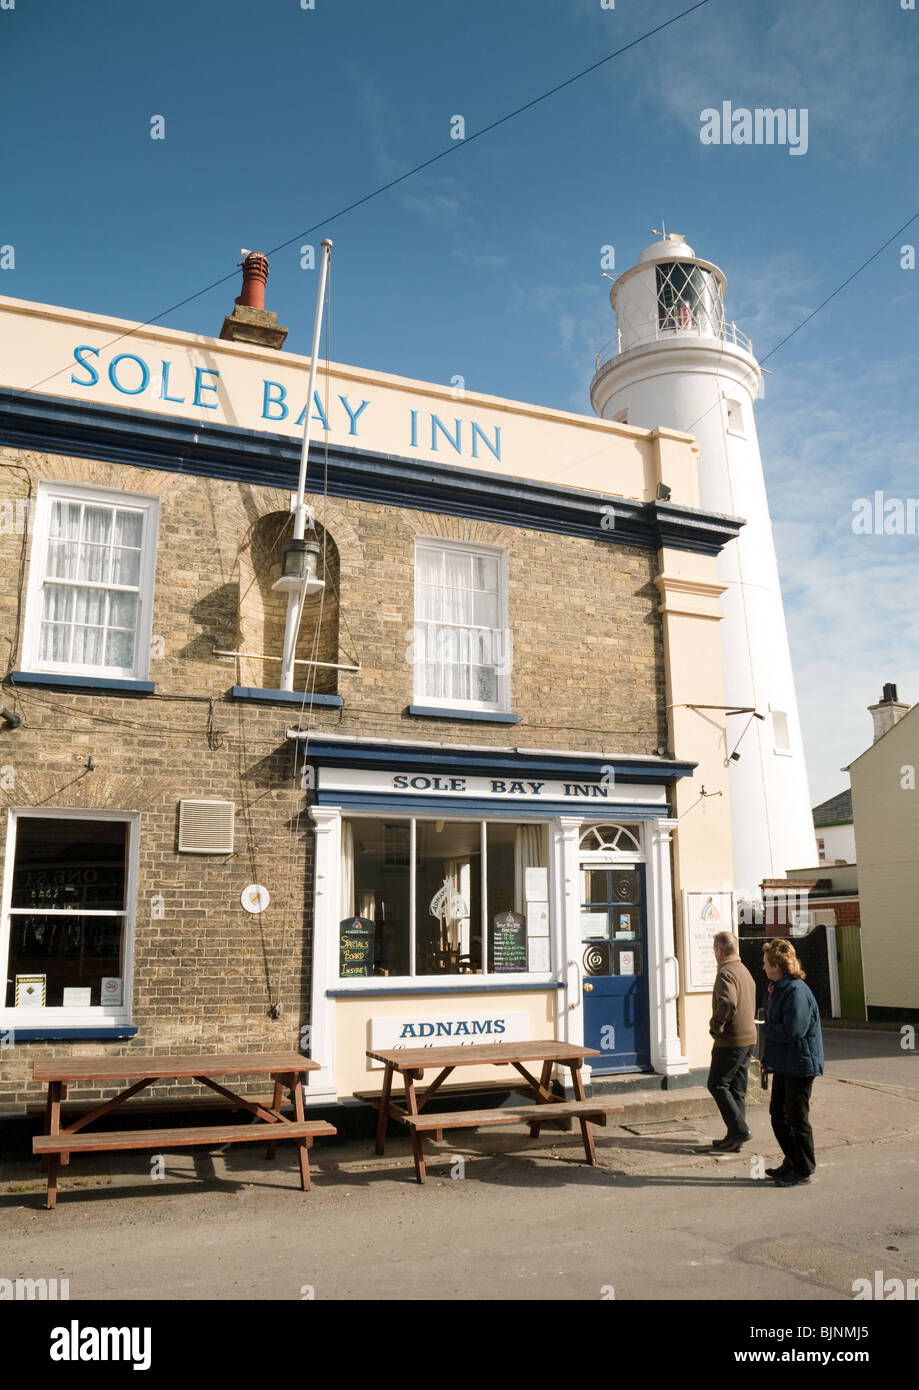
(432, 897)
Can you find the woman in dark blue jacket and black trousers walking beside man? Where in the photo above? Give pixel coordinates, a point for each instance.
(795, 1054)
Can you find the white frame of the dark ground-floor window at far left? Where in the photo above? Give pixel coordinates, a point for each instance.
(98, 1015)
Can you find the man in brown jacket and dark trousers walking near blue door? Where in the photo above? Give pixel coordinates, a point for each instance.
(735, 1033)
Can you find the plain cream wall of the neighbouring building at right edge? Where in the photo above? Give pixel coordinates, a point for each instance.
(886, 814)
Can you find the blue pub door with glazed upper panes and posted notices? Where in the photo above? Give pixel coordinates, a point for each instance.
(614, 965)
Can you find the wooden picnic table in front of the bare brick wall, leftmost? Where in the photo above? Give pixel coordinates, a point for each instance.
(286, 1070)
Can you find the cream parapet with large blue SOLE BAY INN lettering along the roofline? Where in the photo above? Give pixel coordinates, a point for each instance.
(193, 377)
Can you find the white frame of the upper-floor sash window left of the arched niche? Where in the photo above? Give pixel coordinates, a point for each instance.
(48, 494)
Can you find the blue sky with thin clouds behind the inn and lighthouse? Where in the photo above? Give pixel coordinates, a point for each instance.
(489, 265)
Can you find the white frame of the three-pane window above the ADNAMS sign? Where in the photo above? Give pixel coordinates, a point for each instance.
(451, 983)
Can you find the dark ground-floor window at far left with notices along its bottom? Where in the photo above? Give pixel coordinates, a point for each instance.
(67, 914)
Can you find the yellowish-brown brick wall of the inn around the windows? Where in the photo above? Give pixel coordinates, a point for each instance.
(589, 675)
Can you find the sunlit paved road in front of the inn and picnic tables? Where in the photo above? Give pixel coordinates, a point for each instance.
(660, 1218)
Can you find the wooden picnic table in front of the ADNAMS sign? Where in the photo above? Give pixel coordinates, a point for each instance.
(414, 1063)
